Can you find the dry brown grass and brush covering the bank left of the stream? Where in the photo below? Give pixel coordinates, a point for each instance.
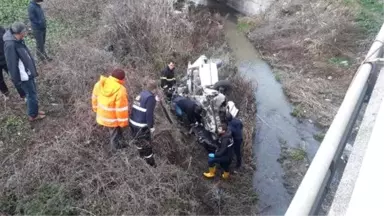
(62, 166)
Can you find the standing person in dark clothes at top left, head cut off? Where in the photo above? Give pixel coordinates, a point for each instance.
(39, 27)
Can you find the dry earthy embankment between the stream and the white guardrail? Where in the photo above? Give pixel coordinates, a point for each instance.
(315, 49)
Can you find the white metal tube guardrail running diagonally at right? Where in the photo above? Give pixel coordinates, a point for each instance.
(310, 193)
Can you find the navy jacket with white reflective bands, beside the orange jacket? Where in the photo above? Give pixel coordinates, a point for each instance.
(143, 110)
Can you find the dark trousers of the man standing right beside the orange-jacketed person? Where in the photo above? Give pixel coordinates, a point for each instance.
(142, 141)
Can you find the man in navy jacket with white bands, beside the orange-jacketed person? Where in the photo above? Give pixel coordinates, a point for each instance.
(142, 122)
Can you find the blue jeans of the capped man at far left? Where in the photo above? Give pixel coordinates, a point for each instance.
(29, 87)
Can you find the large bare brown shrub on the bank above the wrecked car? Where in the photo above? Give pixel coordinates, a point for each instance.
(150, 32)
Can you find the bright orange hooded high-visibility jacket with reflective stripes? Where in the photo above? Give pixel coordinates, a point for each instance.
(110, 102)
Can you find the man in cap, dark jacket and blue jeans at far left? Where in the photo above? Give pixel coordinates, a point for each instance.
(22, 67)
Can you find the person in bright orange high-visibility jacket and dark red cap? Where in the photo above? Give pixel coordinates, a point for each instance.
(110, 103)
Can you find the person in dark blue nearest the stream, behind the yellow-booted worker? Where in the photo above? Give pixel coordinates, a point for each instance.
(236, 127)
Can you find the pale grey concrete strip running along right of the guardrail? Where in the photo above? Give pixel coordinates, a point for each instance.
(347, 183)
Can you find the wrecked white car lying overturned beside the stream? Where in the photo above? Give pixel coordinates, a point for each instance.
(203, 86)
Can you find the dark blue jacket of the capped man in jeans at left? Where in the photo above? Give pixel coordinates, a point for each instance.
(16, 54)
